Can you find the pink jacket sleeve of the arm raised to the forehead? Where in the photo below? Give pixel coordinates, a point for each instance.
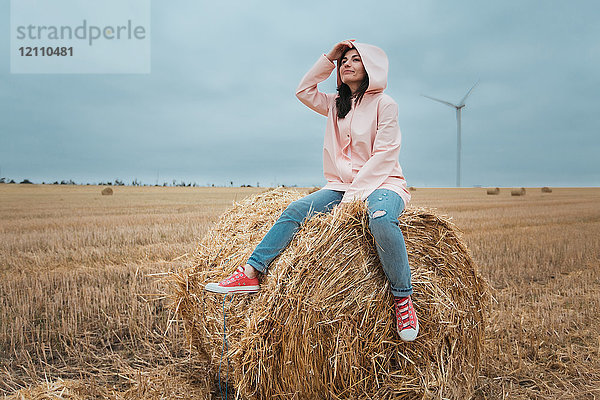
(307, 91)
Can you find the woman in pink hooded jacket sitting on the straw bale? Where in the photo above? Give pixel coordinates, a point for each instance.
(360, 161)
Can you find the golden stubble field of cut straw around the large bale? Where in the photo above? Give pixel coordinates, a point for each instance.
(82, 310)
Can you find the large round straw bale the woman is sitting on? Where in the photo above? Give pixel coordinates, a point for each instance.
(323, 324)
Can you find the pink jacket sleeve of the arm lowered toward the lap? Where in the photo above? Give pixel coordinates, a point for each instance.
(386, 150)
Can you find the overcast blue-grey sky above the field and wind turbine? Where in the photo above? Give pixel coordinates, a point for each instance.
(219, 103)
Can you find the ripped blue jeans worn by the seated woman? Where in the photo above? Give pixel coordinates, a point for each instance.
(385, 206)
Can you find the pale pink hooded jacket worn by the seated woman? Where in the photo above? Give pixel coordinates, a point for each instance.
(360, 151)
